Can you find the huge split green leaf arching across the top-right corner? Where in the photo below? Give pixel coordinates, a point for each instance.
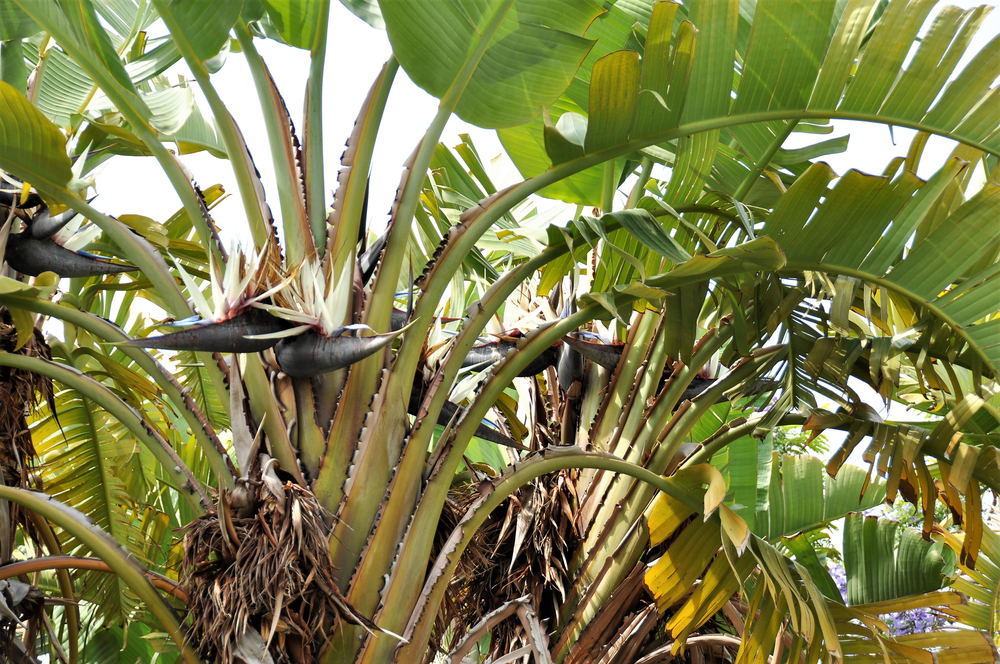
(778, 85)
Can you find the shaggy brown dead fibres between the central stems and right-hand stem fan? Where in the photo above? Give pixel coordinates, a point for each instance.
(522, 550)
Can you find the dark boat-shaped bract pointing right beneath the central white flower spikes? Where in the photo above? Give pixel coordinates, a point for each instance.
(311, 353)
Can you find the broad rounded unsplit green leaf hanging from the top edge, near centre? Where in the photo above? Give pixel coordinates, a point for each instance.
(521, 54)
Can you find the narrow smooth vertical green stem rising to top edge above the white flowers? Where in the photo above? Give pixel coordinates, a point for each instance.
(312, 148)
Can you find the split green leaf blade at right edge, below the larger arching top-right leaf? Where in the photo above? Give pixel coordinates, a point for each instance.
(891, 210)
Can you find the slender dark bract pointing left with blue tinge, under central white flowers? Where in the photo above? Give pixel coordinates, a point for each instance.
(228, 336)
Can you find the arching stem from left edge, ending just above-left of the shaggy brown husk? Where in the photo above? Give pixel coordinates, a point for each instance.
(183, 479)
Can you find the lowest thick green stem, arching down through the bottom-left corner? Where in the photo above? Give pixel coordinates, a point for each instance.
(110, 551)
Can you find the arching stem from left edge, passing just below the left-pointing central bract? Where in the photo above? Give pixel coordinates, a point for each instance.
(203, 431)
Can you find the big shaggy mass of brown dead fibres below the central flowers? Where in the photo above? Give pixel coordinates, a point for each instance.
(270, 573)
